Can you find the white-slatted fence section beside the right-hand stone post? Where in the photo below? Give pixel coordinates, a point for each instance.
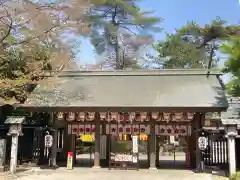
(216, 153)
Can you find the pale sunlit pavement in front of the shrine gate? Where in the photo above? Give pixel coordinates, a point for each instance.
(105, 174)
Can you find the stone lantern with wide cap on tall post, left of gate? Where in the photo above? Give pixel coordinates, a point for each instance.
(15, 130)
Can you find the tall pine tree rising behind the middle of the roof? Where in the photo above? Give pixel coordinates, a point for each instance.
(111, 18)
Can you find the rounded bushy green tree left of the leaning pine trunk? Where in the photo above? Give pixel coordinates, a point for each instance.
(175, 52)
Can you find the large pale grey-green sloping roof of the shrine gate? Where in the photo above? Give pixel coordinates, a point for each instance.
(170, 88)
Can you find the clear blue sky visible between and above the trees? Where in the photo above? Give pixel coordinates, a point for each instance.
(175, 14)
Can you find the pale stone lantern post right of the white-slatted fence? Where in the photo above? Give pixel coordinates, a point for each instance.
(231, 133)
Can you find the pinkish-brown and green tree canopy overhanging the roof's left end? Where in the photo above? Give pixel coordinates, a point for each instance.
(32, 39)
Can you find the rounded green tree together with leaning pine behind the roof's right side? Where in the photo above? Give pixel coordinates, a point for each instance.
(193, 46)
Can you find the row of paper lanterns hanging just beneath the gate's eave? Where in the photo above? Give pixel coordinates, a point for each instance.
(116, 116)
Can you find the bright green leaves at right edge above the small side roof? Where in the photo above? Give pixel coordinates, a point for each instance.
(232, 65)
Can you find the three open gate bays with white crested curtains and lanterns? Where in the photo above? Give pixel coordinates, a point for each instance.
(125, 140)
